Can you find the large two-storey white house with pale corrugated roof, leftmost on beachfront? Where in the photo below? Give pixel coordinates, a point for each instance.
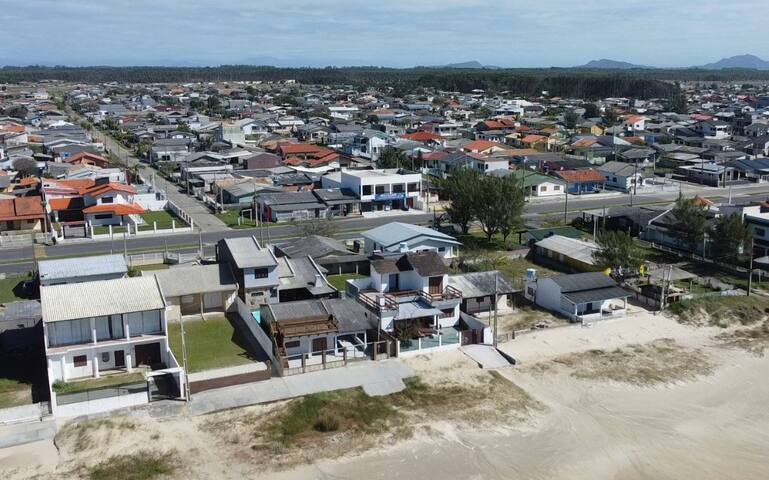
(107, 327)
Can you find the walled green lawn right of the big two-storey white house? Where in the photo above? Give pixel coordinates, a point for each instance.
(211, 343)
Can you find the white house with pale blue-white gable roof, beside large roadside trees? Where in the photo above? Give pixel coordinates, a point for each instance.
(397, 237)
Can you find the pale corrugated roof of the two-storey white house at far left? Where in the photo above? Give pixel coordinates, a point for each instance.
(96, 299)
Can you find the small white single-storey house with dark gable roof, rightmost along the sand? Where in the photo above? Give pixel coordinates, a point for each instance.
(581, 297)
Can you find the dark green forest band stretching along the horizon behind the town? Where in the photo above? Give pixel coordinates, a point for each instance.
(561, 82)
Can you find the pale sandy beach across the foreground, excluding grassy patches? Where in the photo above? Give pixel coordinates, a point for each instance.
(712, 426)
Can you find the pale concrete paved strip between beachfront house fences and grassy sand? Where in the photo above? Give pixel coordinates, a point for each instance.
(376, 378)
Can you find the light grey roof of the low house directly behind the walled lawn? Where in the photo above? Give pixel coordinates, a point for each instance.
(189, 280)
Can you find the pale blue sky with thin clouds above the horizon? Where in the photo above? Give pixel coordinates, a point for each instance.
(395, 33)
